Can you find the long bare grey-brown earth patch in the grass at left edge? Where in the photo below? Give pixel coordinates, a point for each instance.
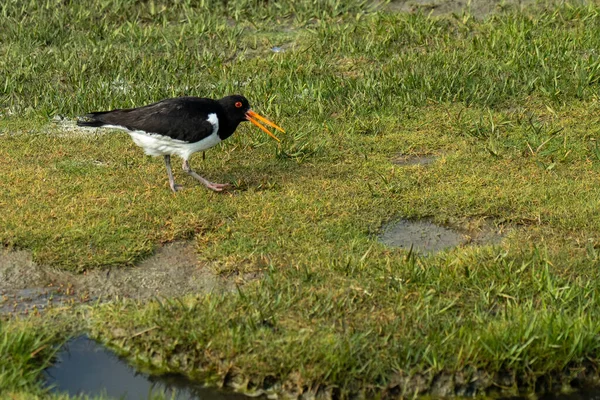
(27, 287)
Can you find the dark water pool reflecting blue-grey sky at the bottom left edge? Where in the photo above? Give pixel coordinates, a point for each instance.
(85, 367)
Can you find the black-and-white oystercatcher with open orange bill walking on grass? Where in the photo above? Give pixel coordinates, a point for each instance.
(181, 126)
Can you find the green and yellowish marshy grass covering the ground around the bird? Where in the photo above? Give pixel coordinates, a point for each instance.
(509, 105)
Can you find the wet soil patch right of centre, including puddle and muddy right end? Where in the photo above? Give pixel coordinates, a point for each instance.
(426, 237)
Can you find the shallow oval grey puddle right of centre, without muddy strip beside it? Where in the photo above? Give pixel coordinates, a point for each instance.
(422, 236)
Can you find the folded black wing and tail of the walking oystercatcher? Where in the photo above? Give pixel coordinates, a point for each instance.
(184, 118)
